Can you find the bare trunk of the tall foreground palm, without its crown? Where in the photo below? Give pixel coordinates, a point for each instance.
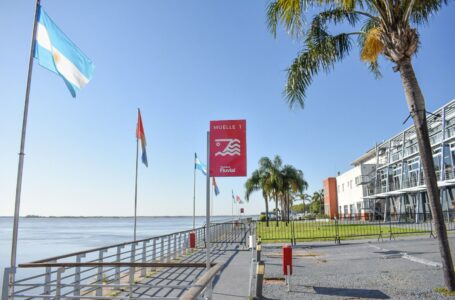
(416, 104)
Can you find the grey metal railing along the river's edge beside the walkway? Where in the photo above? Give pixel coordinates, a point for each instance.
(115, 271)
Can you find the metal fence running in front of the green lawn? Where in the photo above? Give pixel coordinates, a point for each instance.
(351, 226)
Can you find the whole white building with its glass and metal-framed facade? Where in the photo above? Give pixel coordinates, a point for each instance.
(388, 179)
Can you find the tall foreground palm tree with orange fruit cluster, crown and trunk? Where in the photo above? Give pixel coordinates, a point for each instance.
(388, 28)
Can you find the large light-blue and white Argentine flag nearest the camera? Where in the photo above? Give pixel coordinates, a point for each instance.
(57, 53)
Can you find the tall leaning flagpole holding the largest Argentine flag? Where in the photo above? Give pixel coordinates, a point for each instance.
(21, 157)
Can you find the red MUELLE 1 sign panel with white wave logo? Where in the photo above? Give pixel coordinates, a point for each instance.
(227, 148)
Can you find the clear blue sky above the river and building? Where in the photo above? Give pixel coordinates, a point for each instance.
(185, 63)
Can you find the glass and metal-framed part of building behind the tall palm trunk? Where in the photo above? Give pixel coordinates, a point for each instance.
(396, 185)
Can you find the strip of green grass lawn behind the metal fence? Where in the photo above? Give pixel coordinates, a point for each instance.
(322, 230)
